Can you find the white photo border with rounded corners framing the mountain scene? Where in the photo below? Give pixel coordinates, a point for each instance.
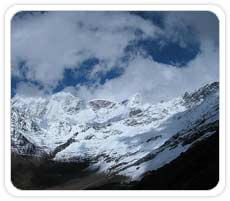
(105, 193)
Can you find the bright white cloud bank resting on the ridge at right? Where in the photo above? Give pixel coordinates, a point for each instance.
(156, 81)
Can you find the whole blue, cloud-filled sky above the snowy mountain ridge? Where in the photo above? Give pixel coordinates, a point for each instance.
(113, 54)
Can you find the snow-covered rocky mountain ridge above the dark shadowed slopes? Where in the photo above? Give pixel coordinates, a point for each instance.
(127, 138)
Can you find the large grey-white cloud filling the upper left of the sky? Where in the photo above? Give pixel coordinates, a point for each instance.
(56, 40)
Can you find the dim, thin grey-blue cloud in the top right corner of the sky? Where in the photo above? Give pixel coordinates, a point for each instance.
(204, 24)
